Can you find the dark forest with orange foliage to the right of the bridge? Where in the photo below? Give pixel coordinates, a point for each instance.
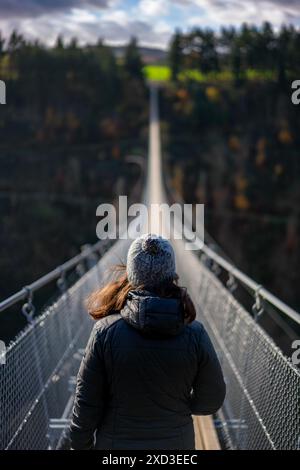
(231, 141)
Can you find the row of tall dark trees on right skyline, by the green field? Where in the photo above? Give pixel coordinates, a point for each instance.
(237, 51)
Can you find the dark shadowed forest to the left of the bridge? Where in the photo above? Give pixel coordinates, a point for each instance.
(73, 116)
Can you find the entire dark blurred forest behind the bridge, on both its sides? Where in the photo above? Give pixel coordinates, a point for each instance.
(76, 114)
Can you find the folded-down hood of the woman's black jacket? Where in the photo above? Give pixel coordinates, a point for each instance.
(153, 315)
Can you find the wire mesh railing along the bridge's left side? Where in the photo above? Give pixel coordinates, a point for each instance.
(37, 379)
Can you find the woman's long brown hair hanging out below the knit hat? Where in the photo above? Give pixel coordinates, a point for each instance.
(112, 297)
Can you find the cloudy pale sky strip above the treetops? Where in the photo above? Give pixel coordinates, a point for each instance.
(152, 21)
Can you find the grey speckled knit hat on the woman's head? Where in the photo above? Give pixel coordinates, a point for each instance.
(150, 261)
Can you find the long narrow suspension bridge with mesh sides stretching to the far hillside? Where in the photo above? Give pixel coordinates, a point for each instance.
(37, 382)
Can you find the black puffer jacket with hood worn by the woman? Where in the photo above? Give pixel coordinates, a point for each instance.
(143, 374)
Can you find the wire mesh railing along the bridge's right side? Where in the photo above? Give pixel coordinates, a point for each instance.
(262, 405)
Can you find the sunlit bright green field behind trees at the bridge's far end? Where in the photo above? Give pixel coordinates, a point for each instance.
(162, 73)
